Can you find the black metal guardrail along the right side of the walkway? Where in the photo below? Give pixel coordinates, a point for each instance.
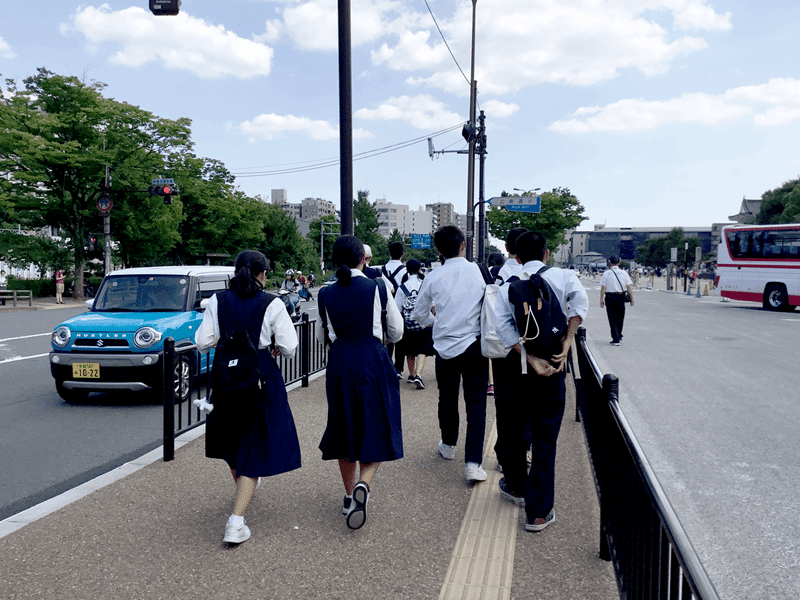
(639, 531)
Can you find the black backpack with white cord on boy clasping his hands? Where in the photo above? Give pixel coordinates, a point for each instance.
(538, 314)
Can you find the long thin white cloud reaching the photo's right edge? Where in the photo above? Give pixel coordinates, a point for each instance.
(782, 96)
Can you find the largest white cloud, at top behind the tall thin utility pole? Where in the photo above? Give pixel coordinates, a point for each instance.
(527, 42)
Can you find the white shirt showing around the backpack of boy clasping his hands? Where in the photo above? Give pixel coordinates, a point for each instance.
(566, 286)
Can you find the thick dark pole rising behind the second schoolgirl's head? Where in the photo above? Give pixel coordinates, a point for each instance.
(345, 119)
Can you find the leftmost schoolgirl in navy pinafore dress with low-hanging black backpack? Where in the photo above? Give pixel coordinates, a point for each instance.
(252, 430)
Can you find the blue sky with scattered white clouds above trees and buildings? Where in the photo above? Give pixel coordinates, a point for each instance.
(654, 113)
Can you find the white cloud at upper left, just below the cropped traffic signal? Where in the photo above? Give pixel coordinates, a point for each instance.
(180, 42)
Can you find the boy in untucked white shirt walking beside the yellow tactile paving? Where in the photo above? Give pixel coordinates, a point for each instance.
(455, 292)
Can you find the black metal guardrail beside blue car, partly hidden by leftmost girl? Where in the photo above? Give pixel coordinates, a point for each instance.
(184, 381)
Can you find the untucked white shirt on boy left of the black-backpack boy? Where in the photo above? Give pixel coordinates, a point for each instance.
(456, 291)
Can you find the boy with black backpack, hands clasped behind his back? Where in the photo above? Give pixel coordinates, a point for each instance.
(536, 399)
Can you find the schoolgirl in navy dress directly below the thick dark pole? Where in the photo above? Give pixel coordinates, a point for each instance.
(364, 427)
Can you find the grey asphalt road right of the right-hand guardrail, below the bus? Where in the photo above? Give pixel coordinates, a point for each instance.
(711, 390)
